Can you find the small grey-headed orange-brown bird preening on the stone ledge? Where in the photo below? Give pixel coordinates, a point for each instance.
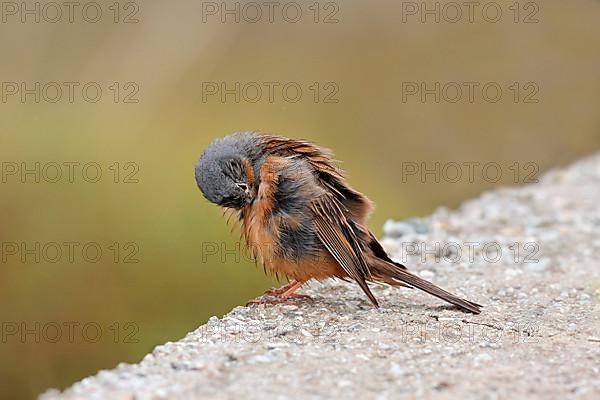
(299, 217)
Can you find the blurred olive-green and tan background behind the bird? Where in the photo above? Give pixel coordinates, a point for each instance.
(170, 54)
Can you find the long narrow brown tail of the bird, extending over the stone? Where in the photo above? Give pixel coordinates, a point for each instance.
(384, 271)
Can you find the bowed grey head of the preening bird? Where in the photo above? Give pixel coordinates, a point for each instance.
(225, 170)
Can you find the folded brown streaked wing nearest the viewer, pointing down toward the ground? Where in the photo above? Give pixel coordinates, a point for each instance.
(339, 236)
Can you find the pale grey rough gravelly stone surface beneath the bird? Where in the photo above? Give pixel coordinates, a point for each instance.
(528, 254)
